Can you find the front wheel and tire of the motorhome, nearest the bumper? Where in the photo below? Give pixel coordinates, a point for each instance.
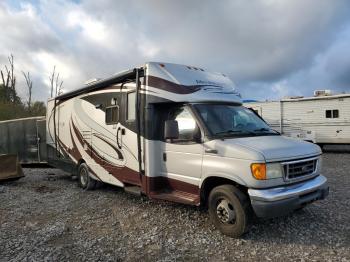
(230, 210)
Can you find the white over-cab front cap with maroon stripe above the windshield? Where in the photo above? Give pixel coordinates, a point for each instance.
(183, 83)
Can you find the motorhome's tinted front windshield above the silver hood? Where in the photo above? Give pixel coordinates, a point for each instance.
(225, 120)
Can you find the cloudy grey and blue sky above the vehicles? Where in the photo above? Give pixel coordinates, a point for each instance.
(270, 48)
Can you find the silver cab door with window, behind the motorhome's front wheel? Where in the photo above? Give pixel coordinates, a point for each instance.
(182, 158)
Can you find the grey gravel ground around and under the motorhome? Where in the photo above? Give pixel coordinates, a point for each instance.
(45, 216)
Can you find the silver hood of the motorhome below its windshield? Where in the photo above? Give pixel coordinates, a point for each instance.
(272, 148)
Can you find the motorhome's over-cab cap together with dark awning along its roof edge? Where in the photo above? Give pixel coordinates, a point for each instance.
(180, 82)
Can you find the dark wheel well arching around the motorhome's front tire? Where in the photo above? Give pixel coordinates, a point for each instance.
(211, 182)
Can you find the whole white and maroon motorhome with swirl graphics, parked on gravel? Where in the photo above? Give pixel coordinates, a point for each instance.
(181, 134)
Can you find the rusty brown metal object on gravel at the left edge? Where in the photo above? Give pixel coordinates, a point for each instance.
(10, 167)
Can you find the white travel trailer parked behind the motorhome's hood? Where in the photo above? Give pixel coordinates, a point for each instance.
(321, 119)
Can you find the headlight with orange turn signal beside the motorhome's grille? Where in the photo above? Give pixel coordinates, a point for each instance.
(262, 171)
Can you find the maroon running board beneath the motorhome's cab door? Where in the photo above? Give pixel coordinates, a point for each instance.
(177, 196)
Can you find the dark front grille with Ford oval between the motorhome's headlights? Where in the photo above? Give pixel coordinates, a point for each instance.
(297, 169)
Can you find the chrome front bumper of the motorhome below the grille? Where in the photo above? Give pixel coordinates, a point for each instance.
(279, 201)
